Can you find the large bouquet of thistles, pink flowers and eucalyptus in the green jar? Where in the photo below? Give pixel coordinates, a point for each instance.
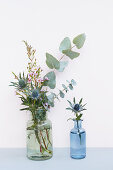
(34, 90)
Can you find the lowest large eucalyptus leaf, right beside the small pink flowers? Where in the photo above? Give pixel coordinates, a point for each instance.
(52, 80)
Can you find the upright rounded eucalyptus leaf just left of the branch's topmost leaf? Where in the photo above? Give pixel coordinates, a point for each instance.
(65, 44)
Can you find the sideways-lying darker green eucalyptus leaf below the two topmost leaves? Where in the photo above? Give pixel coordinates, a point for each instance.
(71, 54)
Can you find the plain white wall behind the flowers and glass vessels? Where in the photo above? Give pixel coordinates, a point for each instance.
(44, 24)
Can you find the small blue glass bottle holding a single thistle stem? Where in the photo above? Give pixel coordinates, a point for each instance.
(78, 141)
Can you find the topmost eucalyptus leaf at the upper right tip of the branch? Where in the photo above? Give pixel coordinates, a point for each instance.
(79, 40)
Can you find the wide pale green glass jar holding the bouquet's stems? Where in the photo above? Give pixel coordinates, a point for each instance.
(39, 139)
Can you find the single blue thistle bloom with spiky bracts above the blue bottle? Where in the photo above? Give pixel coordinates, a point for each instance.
(77, 108)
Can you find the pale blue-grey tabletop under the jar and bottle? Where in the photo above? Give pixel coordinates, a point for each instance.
(96, 159)
